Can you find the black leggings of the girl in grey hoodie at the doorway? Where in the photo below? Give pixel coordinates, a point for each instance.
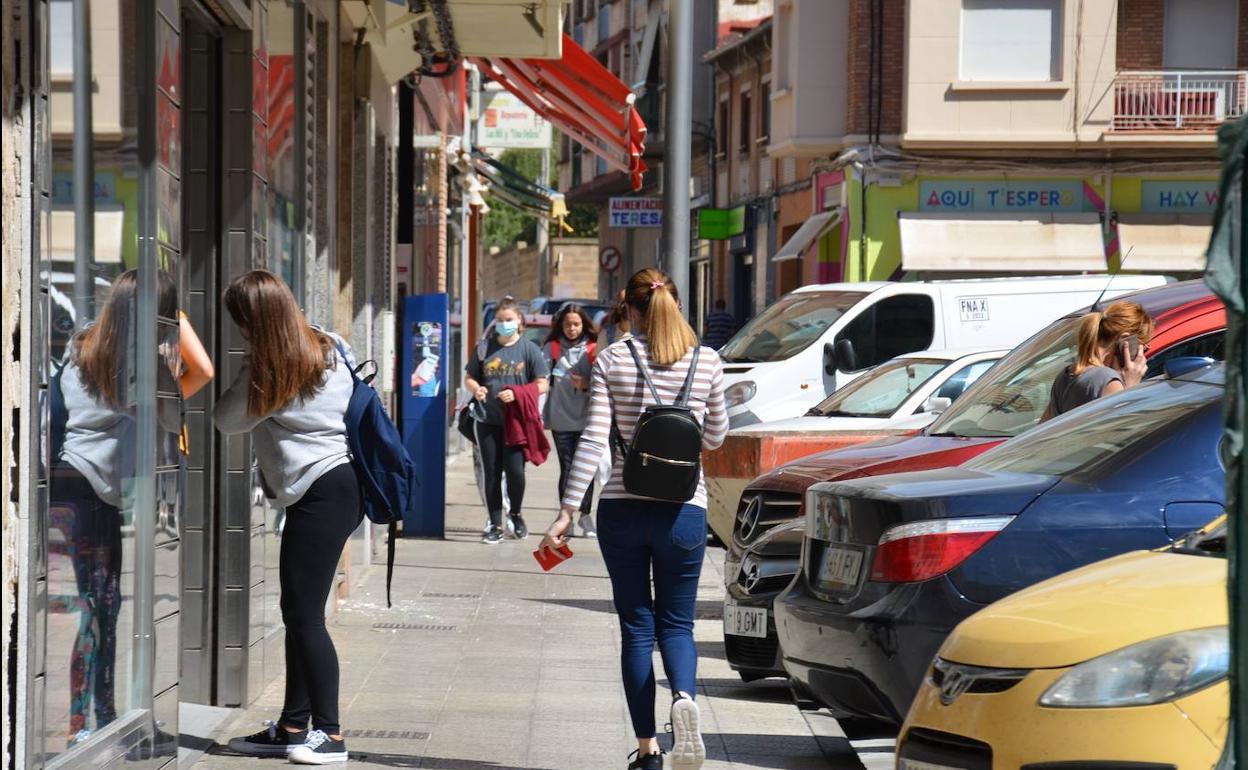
(316, 531)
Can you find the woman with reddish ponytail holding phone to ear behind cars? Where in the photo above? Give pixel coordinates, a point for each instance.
(1110, 358)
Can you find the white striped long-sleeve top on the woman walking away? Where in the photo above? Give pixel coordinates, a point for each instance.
(617, 389)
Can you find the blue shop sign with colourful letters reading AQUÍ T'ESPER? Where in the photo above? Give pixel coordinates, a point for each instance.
(1002, 195)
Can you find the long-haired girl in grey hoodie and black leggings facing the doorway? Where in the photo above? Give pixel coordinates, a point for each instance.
(291, 395)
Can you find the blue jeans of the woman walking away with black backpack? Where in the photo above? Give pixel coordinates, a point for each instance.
(668, 540)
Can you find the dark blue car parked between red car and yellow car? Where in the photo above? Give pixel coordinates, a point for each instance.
(893, 563)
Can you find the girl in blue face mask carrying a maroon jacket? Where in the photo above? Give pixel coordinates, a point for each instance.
(504, 363)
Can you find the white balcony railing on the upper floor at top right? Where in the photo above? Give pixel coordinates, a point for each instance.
(1177, 100)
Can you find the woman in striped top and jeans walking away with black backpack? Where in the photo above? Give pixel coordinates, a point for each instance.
(661, 389)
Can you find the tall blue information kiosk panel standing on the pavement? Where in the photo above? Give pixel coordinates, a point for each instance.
(424, 384)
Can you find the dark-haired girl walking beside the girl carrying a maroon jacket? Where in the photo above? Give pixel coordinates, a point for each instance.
(571, 349)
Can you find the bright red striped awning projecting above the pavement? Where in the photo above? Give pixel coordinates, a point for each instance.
(583, 99)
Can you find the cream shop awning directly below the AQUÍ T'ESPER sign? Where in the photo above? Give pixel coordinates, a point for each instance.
(1050, 243)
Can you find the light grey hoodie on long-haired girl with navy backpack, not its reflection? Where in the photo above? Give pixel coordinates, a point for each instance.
(299, 444)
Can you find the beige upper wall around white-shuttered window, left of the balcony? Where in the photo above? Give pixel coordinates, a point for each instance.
(943, 110)
